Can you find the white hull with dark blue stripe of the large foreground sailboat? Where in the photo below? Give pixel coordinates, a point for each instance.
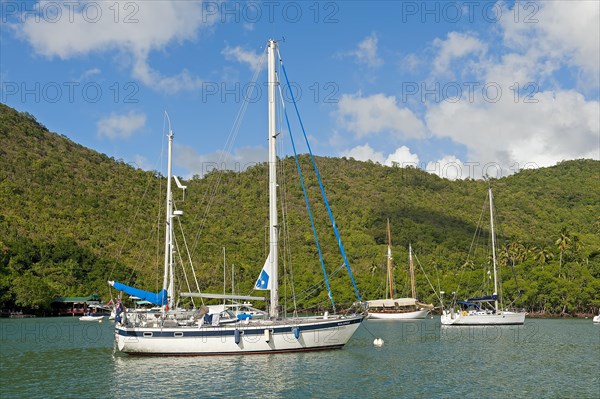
(255, 337)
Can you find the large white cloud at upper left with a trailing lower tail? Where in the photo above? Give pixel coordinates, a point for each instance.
(87, 27)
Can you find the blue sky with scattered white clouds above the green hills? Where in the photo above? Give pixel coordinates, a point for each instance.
(456, 88)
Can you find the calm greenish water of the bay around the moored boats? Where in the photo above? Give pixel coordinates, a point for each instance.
(66, 358)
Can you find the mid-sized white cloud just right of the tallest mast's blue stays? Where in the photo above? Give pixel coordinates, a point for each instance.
(377, 113)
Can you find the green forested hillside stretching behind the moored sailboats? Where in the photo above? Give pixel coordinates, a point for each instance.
(71, 218)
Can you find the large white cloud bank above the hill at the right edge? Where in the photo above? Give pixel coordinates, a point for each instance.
(560, 125)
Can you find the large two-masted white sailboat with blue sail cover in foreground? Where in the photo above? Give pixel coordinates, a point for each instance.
(204, 332)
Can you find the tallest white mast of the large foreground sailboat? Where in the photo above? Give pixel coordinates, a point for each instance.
(273, 239)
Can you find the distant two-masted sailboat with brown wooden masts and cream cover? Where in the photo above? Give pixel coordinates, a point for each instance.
(398, 308)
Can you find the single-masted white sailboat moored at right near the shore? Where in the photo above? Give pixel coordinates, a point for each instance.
(484, 310)
